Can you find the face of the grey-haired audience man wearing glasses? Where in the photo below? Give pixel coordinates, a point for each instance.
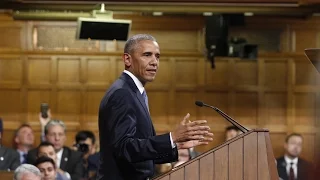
(56, 136)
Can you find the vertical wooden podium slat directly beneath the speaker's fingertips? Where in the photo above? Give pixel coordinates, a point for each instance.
(207, 167)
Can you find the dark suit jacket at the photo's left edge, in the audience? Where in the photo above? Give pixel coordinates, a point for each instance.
(9, 159)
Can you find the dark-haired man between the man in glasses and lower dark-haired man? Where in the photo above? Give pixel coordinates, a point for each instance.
(47, 149)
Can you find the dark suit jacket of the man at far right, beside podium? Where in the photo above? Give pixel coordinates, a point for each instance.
(305, 169)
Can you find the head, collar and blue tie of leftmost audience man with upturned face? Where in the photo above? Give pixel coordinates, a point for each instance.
(23, 141)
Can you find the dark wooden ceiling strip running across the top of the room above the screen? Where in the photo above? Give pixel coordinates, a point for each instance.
(258, 7)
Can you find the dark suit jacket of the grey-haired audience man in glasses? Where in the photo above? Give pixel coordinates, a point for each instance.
(71, 162)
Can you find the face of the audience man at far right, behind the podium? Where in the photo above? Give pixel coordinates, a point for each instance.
(294, 146)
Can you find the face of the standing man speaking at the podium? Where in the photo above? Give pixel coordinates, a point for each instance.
(143, 61)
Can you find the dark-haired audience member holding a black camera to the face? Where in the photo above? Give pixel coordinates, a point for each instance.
(85, 143)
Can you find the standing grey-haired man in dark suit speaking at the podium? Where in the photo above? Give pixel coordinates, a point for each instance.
(129, 146)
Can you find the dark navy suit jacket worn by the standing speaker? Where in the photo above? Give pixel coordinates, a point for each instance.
(129, 145)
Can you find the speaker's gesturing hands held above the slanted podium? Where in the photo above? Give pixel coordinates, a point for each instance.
(195, 131)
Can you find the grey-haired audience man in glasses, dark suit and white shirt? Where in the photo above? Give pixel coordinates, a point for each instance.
(68, 160)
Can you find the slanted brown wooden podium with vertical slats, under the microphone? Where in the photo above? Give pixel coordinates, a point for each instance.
(248, 156)
